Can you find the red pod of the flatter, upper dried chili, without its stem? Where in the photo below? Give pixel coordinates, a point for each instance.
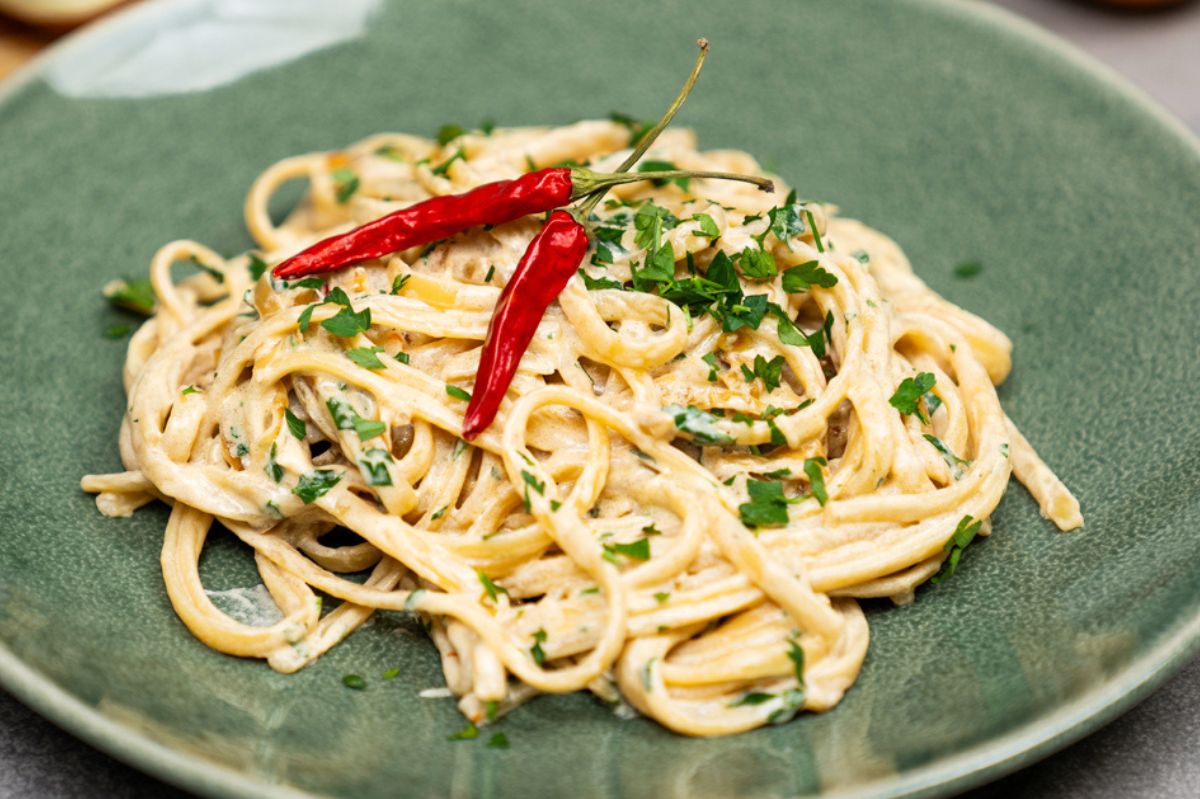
(435, 219)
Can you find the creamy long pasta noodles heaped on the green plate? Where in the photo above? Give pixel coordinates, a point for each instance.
(613, 542)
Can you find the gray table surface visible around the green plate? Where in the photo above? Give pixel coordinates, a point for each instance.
(1151, 752)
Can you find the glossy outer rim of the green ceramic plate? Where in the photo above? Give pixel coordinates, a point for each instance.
(981, 764)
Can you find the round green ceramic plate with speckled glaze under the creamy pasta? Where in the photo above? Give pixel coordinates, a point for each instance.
(962, 133)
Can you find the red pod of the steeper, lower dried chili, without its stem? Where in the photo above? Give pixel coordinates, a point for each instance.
(543, 273)
